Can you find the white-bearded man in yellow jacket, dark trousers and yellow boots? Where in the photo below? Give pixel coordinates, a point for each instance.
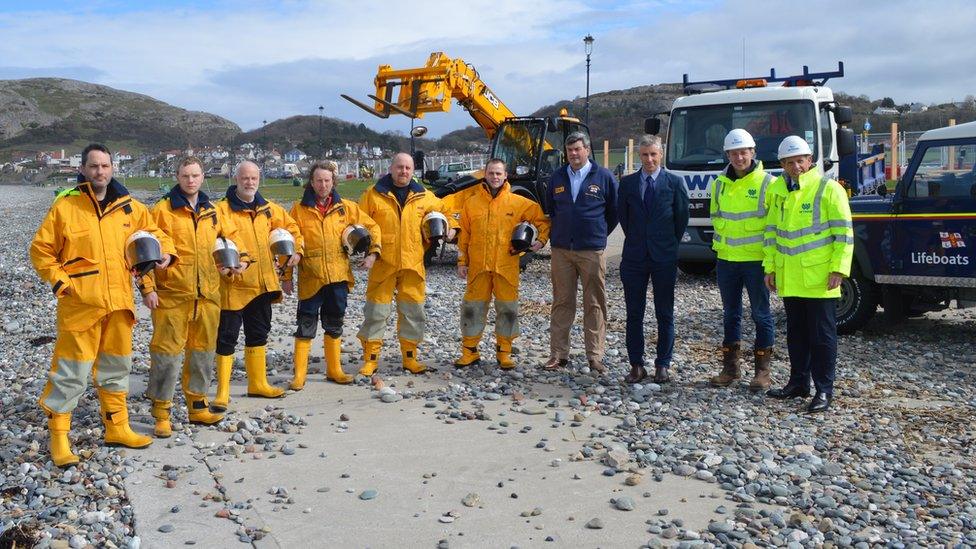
(247, 300)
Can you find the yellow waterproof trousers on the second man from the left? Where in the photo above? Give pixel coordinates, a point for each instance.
(184, 340)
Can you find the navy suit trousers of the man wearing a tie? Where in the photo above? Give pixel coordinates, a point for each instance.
(662, 276)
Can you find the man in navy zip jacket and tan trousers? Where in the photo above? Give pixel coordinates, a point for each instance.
(582, 199)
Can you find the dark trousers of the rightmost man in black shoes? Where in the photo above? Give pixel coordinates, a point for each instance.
(811, 336)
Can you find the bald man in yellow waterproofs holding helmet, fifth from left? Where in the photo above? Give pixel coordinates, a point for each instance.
(398, 205)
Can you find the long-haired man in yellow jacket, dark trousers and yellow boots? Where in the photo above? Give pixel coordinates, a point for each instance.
(325, 274)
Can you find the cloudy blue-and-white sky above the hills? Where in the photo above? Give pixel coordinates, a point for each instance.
(250, 62)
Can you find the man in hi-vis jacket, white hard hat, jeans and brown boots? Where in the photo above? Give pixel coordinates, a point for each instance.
(741, 197)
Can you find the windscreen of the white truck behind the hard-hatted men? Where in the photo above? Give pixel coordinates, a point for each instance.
(696, 134)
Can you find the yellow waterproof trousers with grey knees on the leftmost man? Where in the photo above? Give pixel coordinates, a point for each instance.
(104, 351)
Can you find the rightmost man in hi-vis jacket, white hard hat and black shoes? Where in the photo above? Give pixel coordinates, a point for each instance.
(809, 245)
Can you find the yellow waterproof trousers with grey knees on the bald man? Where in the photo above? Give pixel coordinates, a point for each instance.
(410, 290)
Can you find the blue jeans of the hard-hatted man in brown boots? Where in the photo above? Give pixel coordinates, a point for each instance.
(732, 277)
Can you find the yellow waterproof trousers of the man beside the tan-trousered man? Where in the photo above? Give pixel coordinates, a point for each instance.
(474, 308)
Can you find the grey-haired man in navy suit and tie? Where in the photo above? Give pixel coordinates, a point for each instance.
(653, 212)
